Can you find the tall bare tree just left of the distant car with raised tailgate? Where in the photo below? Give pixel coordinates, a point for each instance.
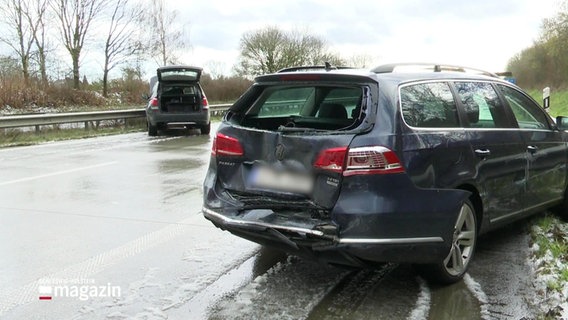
(120, 44)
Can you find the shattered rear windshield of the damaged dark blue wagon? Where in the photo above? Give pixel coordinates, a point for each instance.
(294, 108)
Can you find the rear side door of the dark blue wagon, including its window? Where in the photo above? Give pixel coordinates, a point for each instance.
(500, 156)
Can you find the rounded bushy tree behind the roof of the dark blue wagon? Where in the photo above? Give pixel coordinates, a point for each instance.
(270, 49)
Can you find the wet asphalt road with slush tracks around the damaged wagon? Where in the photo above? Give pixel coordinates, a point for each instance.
(123, 213)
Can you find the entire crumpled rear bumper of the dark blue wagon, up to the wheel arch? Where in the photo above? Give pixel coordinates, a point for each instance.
(374, 220)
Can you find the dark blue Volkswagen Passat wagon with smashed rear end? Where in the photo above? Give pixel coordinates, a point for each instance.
(357, 167)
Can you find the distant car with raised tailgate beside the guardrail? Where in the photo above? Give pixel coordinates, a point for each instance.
(177, 99)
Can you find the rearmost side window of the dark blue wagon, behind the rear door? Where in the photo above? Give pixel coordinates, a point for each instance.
(429, 105)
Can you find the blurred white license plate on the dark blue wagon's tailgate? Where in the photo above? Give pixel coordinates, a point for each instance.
(266, 178)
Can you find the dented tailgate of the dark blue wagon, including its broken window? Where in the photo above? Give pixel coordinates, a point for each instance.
(291, 152)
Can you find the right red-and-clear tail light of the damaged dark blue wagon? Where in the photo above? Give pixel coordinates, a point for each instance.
(359, 161)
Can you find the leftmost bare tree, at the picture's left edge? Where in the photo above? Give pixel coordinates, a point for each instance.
(20, 34)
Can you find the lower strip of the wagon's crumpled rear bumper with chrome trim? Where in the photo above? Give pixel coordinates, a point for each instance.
(313, 239)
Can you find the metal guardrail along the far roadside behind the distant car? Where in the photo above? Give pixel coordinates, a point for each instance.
(60, 118)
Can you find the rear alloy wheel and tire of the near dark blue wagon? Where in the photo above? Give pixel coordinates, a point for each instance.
(453, 268)
